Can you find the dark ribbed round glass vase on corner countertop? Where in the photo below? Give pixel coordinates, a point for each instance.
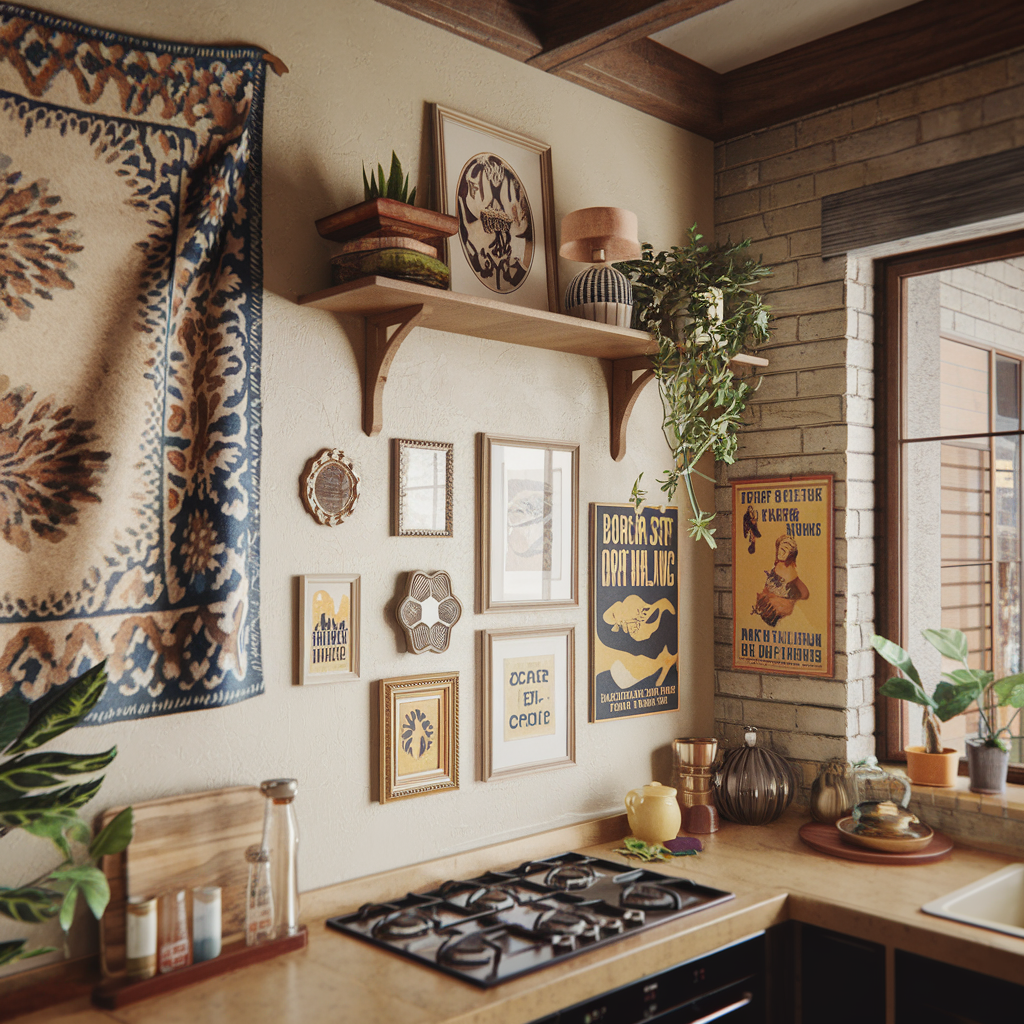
(755, 786)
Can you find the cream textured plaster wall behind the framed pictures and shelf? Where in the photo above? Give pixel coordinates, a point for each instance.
(361, 76)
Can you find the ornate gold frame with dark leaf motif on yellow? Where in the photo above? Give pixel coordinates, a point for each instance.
(419, 736)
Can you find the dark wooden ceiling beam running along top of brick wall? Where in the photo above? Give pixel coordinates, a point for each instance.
(888, 52)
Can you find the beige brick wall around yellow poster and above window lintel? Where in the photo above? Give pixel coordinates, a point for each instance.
(815, 412)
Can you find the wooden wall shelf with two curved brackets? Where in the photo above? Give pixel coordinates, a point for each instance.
(392, 309)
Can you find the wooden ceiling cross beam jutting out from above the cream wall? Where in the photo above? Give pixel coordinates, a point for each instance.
(576, 30)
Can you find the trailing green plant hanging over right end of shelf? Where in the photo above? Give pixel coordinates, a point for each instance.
(700, 307)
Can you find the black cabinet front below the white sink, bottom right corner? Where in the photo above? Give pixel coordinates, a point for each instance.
(942, 994)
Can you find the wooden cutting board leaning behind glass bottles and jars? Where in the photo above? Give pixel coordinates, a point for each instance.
(197, 839)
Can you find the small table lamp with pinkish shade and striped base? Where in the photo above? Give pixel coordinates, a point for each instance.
(601, 236)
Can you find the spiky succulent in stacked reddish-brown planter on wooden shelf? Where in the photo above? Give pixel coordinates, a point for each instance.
(388, 235)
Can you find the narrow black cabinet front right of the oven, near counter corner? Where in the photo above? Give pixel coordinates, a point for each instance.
(841, 980)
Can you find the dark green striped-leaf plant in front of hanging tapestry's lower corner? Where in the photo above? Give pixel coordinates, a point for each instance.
(34, 797)
